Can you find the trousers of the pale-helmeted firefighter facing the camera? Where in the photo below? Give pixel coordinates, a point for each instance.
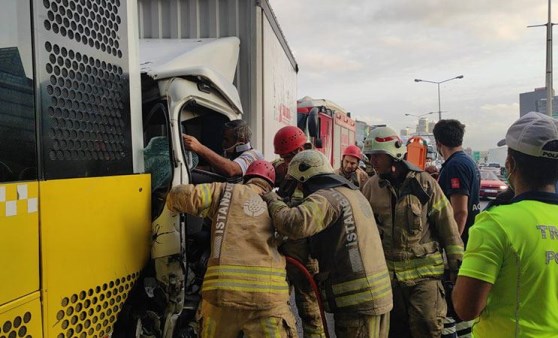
(418, 310)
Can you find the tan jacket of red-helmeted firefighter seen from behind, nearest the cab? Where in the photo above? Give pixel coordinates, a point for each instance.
(245, 269)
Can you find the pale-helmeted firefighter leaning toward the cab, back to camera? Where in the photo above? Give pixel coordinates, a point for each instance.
(353, 277)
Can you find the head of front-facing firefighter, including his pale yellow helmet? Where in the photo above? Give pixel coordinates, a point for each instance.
(384, 148)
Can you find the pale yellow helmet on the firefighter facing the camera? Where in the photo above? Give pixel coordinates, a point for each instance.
(384, 140)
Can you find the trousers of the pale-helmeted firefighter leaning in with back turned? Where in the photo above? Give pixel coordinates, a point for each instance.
(357, 325)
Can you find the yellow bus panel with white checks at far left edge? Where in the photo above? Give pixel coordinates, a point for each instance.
(19, 240)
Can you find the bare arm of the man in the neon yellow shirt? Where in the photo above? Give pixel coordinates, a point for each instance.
(469, 297)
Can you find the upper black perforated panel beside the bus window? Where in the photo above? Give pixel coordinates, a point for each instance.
(82, 64)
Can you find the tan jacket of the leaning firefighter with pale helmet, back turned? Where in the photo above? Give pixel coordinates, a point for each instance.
(353, 275)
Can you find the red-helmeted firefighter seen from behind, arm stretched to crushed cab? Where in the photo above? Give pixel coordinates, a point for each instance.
(244, 289)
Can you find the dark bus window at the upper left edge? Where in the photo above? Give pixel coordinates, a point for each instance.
(18, 154)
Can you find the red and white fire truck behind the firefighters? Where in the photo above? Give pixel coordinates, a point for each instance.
(329, 127)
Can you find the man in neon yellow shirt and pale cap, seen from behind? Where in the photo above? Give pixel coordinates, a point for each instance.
(509, 276)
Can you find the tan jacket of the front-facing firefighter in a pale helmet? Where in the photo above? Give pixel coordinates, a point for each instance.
(416, 222)
